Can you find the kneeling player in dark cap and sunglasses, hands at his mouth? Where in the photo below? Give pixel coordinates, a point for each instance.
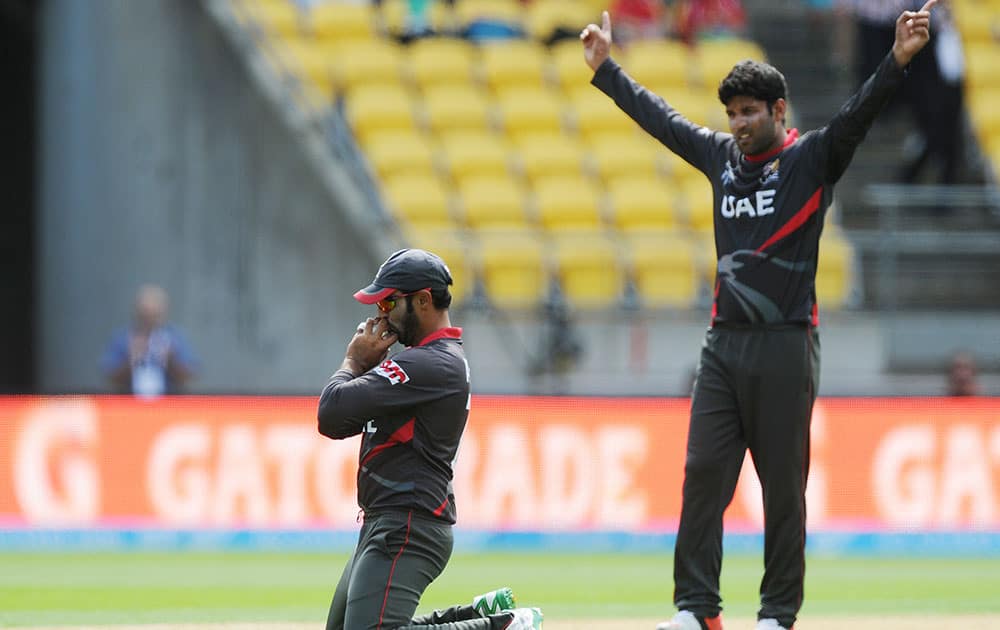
(411, 410)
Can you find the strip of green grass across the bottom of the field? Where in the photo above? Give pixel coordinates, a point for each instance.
(107, 588)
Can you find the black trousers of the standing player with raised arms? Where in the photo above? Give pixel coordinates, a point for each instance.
(755, 389)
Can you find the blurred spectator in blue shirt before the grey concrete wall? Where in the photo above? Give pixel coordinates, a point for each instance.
(151, 358)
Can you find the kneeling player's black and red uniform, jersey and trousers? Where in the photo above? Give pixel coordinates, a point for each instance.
(411, 411)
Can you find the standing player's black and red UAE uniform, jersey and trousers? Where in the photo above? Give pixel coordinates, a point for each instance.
(759, 367)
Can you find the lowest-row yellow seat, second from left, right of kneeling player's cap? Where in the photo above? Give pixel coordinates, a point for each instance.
(512, 267)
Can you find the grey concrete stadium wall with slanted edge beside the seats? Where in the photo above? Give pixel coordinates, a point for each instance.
(162, 162)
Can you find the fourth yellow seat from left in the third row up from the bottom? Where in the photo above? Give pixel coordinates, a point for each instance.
(628, 155)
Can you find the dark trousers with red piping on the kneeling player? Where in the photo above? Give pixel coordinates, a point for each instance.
(398, 555)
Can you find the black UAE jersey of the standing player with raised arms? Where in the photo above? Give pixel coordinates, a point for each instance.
(769, 208)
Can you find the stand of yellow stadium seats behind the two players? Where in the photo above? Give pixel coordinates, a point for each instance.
(496, 143)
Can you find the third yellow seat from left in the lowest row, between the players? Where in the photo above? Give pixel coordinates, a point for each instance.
(588, 266)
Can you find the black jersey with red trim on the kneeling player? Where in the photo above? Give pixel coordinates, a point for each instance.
(411, 411)
